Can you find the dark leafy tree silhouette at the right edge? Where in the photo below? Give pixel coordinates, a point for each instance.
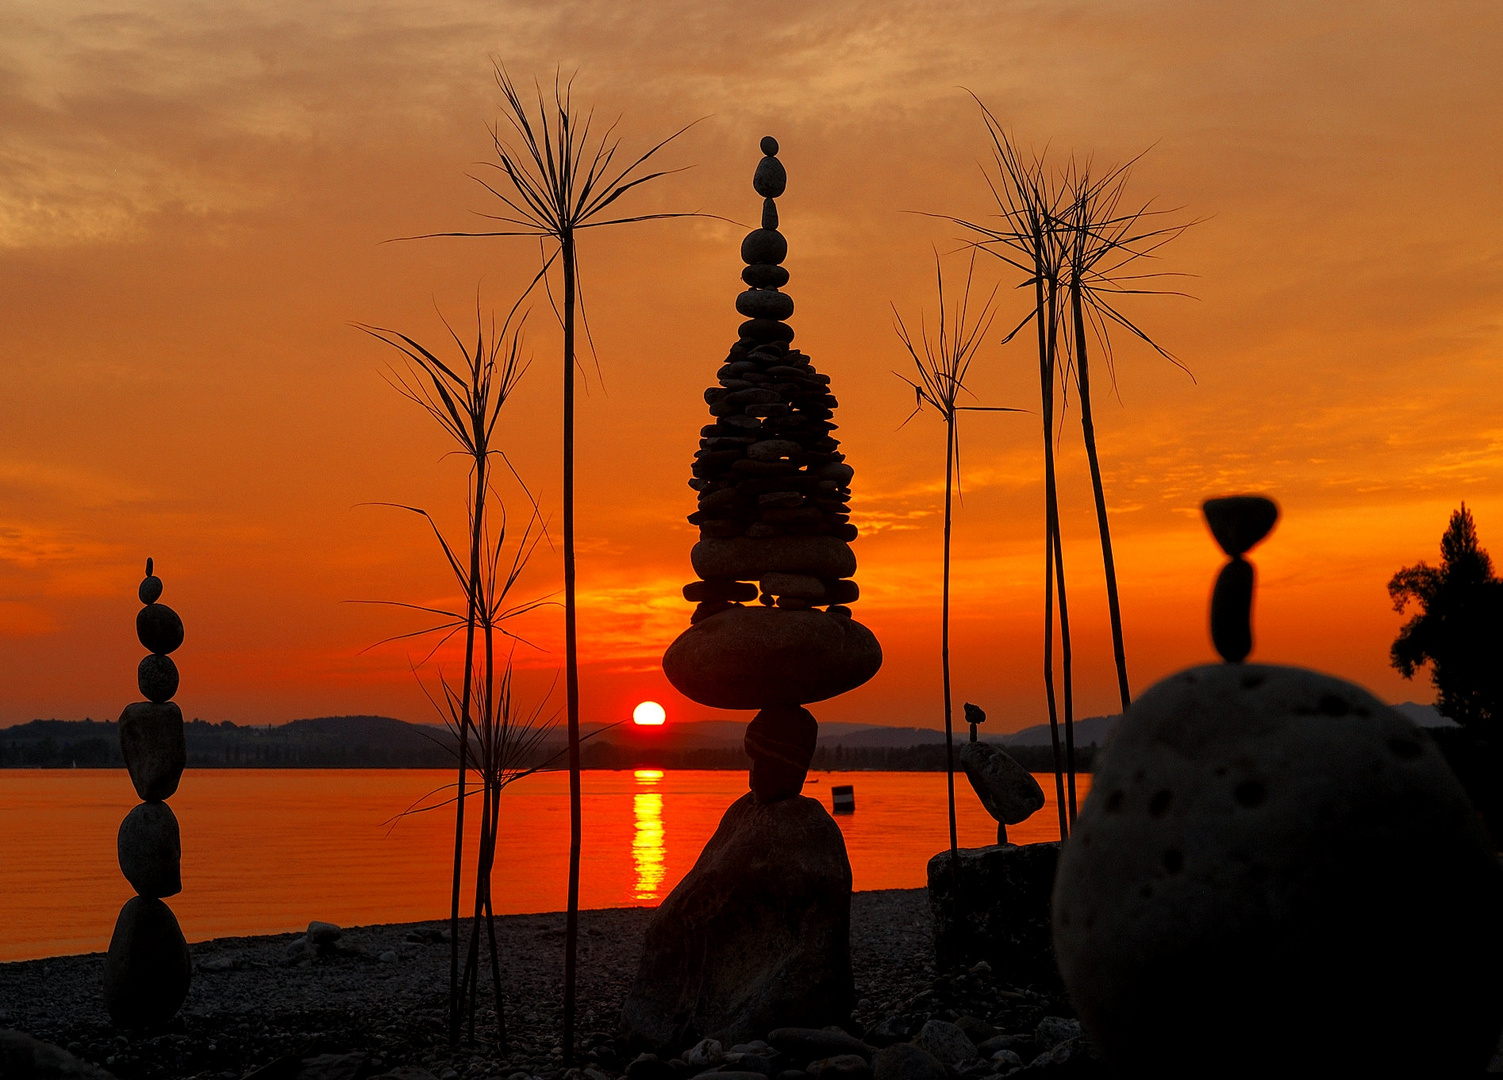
(1459, 629)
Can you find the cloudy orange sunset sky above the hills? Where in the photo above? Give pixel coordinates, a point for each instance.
(193, 202)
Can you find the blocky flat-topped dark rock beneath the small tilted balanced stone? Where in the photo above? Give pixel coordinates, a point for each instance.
(1005, 913)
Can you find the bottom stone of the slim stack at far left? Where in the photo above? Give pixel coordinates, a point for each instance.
(148, 970)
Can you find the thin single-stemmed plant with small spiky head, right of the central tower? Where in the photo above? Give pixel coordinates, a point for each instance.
(943, 363)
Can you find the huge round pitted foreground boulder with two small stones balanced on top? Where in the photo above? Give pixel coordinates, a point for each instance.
(1277, 875)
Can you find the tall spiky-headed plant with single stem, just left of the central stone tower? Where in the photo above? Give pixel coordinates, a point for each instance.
(560, 181)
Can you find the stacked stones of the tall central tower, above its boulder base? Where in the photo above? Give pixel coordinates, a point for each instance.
(773, 627)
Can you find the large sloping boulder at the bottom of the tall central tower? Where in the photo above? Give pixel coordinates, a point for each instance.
(757, 937)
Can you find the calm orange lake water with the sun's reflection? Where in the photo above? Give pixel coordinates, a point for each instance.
(265, 851)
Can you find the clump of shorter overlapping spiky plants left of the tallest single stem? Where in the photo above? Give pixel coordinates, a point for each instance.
(467, 402)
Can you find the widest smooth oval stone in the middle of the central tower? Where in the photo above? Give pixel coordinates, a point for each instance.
(752, 657)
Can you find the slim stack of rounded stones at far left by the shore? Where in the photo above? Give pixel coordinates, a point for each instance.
(148, 968)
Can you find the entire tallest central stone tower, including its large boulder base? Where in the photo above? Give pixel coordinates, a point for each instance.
(758, 934)
